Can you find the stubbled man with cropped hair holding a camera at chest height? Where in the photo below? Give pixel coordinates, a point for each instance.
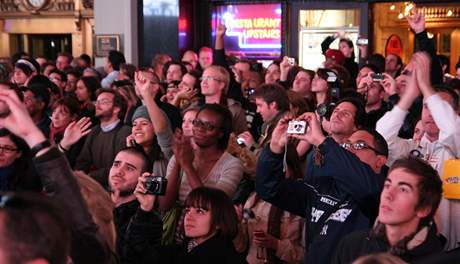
(133, 207)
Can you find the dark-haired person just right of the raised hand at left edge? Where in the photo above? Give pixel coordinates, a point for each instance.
(36, 99)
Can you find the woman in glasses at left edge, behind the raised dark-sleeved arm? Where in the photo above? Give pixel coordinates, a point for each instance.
(16, 170)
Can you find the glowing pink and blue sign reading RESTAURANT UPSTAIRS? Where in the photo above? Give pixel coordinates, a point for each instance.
(253, 30)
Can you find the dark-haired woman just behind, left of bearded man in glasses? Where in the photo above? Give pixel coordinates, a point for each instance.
(86, 93)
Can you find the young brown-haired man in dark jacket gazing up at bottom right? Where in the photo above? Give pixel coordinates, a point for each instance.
(405, 228)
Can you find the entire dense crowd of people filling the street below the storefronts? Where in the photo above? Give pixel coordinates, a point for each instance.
(211, 159)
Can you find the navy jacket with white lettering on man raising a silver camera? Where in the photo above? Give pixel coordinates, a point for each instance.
(343, 185)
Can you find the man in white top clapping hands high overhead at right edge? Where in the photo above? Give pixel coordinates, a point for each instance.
(441, 140)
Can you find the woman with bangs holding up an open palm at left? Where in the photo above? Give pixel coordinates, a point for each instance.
(63, 121)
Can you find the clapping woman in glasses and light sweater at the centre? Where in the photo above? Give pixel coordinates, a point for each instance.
(201, 161)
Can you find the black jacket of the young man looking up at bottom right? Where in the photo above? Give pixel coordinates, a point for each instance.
(363, 243)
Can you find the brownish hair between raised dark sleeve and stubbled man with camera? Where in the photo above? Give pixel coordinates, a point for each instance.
(100, 207)
